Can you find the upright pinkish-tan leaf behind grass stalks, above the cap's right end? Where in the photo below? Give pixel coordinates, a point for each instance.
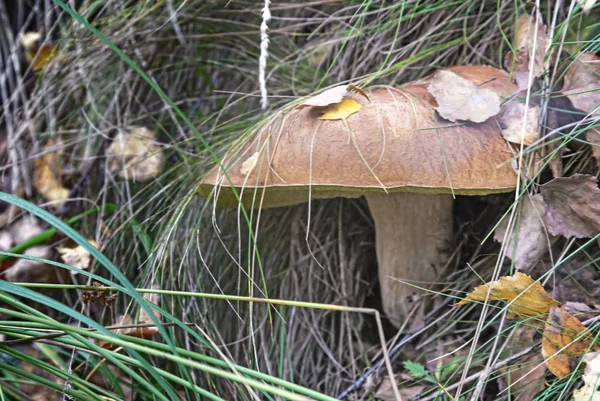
(531, 42)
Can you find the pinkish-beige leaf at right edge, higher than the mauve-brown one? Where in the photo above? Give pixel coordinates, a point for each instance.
(582, 83)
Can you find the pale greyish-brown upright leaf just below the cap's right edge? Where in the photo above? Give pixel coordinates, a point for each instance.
(531, 242)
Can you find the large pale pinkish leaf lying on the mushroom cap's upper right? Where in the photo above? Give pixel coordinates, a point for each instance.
(460, 99)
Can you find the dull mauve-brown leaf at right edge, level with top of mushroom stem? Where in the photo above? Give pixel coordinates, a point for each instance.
(572, 206)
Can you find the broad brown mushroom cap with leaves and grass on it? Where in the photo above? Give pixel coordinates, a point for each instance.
(396, 141)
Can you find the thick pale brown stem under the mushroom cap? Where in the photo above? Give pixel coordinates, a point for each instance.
(412, 236)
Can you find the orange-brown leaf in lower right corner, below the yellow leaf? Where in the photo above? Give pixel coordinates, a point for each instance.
(564, 340)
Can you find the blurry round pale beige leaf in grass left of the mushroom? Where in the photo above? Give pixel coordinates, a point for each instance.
(134, 155)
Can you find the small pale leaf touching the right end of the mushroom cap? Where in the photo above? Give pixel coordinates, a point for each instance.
(514, 128)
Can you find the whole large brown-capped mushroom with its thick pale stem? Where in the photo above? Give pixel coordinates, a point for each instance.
(398, 153)
